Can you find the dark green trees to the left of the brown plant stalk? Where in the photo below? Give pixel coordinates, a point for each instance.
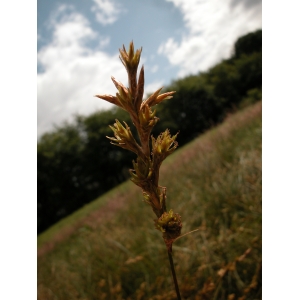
(75, 165)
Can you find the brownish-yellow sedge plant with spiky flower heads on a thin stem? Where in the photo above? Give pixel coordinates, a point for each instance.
(150, 151)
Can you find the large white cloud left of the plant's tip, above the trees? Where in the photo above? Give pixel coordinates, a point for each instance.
(73, 73)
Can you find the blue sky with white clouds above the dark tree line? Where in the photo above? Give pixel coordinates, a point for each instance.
(78, 44)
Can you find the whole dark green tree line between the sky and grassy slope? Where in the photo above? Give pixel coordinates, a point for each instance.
(76, 163)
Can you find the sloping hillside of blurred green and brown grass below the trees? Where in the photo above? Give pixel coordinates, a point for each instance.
(111, 250)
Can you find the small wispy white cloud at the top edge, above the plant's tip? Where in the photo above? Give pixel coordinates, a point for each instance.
(106, 11)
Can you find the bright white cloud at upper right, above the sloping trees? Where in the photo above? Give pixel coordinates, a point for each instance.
(213, 27)
